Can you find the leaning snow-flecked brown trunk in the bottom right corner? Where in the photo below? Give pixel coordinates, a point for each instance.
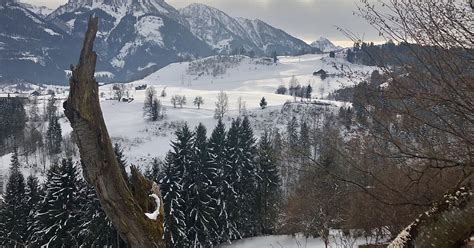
(447, 224)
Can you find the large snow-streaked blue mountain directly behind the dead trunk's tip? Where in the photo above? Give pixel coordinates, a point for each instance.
(135, 37)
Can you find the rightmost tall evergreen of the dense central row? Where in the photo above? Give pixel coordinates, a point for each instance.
(268, 192)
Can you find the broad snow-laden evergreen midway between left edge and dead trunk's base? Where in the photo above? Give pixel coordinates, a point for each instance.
(56, 221)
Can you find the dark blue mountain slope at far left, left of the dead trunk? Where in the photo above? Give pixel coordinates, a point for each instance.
(32, 48)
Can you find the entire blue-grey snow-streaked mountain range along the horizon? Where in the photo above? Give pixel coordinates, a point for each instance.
(135, 38)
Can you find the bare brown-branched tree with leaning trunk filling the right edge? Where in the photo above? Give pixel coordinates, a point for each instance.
(423, 119)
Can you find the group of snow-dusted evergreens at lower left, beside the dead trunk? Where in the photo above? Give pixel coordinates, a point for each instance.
(63, 212)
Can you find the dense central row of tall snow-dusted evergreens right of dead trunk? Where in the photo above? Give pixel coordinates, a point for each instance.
(218, 189)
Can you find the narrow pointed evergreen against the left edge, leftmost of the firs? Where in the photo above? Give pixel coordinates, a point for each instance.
(14, 212)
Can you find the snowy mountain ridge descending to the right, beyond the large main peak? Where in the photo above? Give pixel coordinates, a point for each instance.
(226, 34)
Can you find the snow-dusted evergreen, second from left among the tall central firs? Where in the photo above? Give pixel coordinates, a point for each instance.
(202, 228)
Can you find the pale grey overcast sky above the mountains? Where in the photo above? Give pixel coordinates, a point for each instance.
(305, 19)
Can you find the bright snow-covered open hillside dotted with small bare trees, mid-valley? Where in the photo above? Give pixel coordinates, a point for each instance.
(249, 81)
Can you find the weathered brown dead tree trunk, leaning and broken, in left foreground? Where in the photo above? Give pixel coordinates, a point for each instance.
(125, 209)
